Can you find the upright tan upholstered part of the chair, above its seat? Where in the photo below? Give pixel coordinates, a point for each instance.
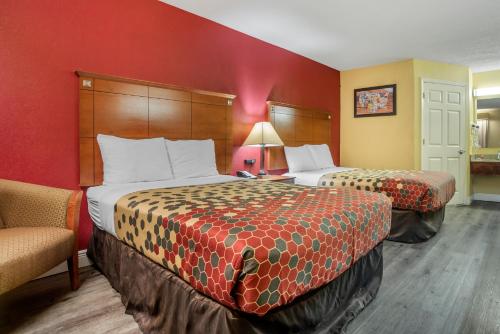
(29, 205)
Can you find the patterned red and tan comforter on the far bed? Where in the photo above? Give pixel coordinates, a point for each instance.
(421, 191)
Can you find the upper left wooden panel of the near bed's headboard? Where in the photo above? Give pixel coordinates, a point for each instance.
(120, 115)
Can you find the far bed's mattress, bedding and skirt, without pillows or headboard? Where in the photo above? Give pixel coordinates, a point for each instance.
(418, 197)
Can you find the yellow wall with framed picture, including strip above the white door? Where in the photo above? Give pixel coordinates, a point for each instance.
(389, 141)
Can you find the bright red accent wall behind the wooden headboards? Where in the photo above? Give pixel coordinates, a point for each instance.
(43, 42)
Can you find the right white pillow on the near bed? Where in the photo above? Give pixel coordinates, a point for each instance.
(192, 158)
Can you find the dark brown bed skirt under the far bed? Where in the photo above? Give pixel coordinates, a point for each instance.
(412, 227)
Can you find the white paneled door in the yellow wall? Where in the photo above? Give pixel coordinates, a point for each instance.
(444, 131)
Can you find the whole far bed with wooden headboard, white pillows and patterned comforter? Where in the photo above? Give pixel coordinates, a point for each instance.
(419, 198)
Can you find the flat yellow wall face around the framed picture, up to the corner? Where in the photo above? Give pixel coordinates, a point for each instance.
(378, 142)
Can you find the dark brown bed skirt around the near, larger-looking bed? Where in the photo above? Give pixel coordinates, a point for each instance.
(161, 302)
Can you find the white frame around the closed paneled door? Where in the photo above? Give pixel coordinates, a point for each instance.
(423, 127)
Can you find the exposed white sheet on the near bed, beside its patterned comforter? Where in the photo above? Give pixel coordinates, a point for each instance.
(102, 199)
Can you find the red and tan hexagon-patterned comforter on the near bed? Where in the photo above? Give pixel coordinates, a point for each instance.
(253, 245)
